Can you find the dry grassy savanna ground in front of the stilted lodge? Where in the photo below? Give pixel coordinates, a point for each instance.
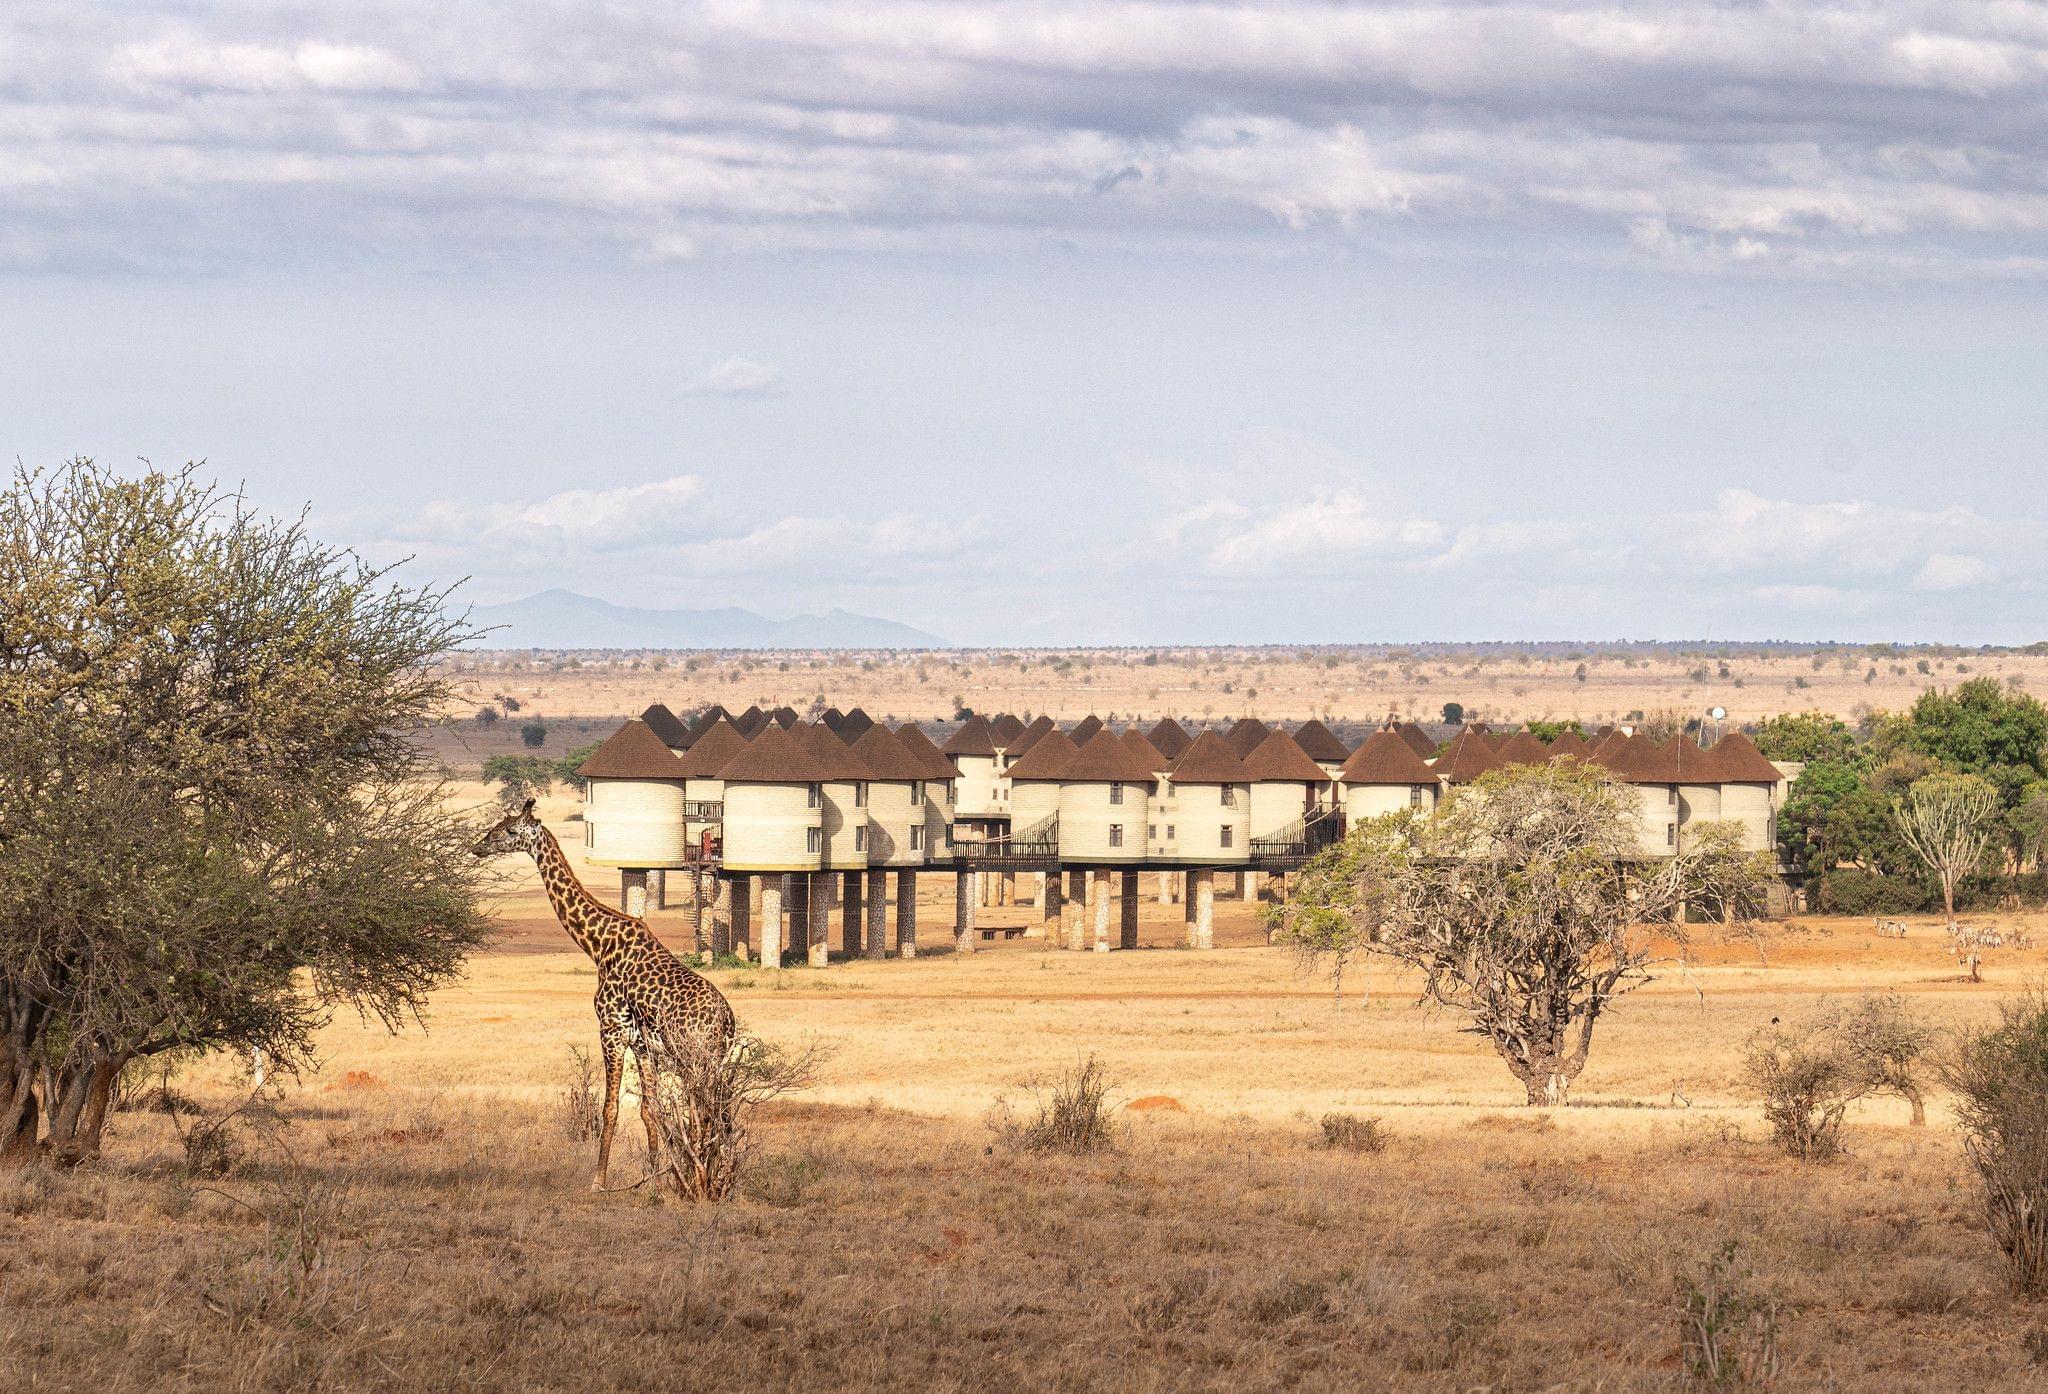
(423, 1219)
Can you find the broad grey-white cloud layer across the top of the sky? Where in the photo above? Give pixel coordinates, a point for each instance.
(1844, 138)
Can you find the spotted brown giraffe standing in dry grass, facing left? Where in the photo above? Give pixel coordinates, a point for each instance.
(644, 992)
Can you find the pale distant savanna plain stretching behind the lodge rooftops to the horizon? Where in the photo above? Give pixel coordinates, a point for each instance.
(583, 697)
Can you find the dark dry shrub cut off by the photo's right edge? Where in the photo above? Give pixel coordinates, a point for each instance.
(2002, 1100)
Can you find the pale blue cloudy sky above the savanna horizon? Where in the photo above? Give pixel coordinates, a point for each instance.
(1041, 322)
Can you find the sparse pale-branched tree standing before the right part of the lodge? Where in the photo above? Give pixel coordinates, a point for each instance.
(1529, 908)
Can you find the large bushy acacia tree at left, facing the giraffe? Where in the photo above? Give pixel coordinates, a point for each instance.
(216, 818)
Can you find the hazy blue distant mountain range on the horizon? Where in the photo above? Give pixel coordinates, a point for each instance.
(560, 619)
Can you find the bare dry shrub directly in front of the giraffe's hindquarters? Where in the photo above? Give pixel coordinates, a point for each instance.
(703, 1102)
